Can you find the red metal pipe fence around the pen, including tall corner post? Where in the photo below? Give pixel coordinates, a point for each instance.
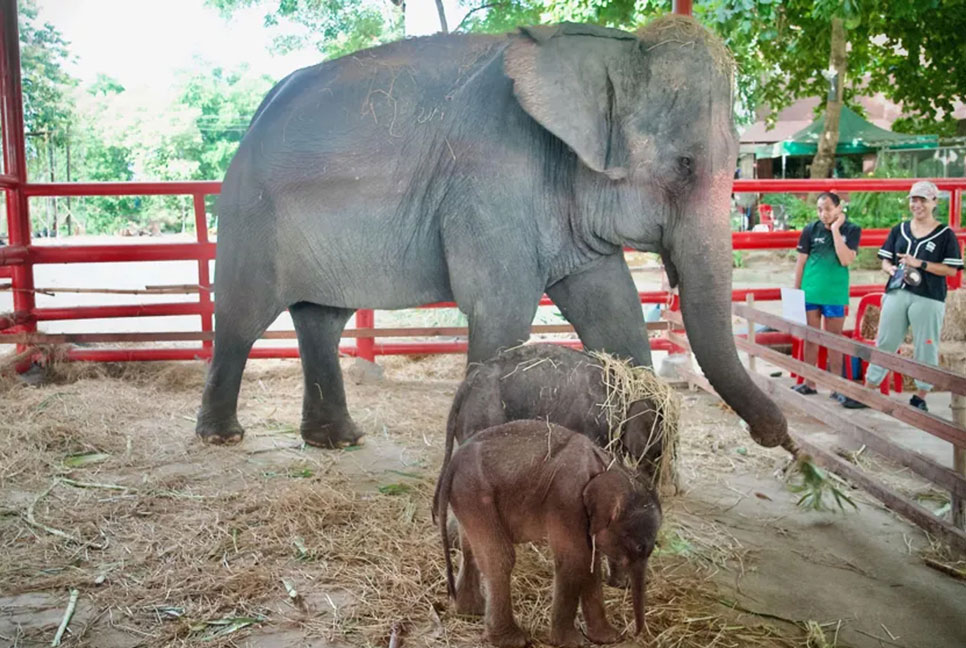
(18, 259)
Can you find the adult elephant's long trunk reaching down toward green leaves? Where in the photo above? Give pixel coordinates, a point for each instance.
(703, 260)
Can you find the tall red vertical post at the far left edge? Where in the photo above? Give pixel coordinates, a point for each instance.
(14, 162)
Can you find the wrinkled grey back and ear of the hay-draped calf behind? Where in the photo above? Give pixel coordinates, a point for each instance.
(556, 384)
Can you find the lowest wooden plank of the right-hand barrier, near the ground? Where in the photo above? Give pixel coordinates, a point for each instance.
(901, 505)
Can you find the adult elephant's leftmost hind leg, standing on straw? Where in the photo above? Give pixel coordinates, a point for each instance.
(239, 322)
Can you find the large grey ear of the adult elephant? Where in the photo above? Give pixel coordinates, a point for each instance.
(561, 78)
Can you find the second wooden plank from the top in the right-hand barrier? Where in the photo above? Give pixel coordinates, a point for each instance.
(902, 411)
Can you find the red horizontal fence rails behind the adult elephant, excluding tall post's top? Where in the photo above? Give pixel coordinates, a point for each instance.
(18, 261)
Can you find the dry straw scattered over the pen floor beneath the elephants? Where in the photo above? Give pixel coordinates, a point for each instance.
(208, 543)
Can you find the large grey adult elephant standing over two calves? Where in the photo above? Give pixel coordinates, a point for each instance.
(485, 170)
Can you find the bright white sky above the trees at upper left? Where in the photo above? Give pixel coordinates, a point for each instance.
(145, 42)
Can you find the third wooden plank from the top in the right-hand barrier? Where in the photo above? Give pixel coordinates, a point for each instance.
(840, 421)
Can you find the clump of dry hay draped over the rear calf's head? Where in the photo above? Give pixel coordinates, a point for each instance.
(626, 384)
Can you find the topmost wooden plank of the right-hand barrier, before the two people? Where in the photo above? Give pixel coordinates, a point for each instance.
(941, 379)
